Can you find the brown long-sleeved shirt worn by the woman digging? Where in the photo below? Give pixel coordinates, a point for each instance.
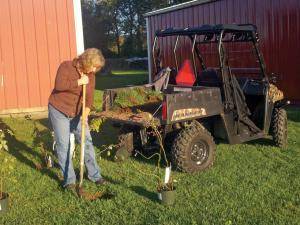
(67, 95)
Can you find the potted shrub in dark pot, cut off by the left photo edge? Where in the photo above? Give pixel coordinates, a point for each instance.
(4, 197)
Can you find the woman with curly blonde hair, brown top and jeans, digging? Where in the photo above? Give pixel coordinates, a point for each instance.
(65, 106)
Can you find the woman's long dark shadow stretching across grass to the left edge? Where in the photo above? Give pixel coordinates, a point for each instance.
(20, 151)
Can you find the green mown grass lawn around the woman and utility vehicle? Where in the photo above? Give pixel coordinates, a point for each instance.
(253, 183)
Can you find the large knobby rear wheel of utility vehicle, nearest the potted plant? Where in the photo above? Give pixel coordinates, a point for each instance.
(194, 149)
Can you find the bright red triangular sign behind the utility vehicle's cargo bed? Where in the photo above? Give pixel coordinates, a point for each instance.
(186, 76)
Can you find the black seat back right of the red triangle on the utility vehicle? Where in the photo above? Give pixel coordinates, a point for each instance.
(209, 78)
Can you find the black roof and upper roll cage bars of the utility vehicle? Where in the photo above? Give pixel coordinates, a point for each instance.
(218, 34)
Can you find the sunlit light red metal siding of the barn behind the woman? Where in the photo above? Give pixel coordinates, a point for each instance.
(35, 36)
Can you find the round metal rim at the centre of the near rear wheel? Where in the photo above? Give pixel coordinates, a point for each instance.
(199, 152)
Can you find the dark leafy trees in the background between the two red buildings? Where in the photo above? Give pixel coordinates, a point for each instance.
(106, 22)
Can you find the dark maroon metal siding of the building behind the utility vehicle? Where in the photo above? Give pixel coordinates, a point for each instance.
(278, 23)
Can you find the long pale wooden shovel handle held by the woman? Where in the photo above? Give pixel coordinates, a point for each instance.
(83, 116)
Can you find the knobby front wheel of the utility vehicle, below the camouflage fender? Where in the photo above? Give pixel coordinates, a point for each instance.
(278, 127)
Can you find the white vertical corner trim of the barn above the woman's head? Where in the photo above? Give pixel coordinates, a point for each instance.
(78, 26)
